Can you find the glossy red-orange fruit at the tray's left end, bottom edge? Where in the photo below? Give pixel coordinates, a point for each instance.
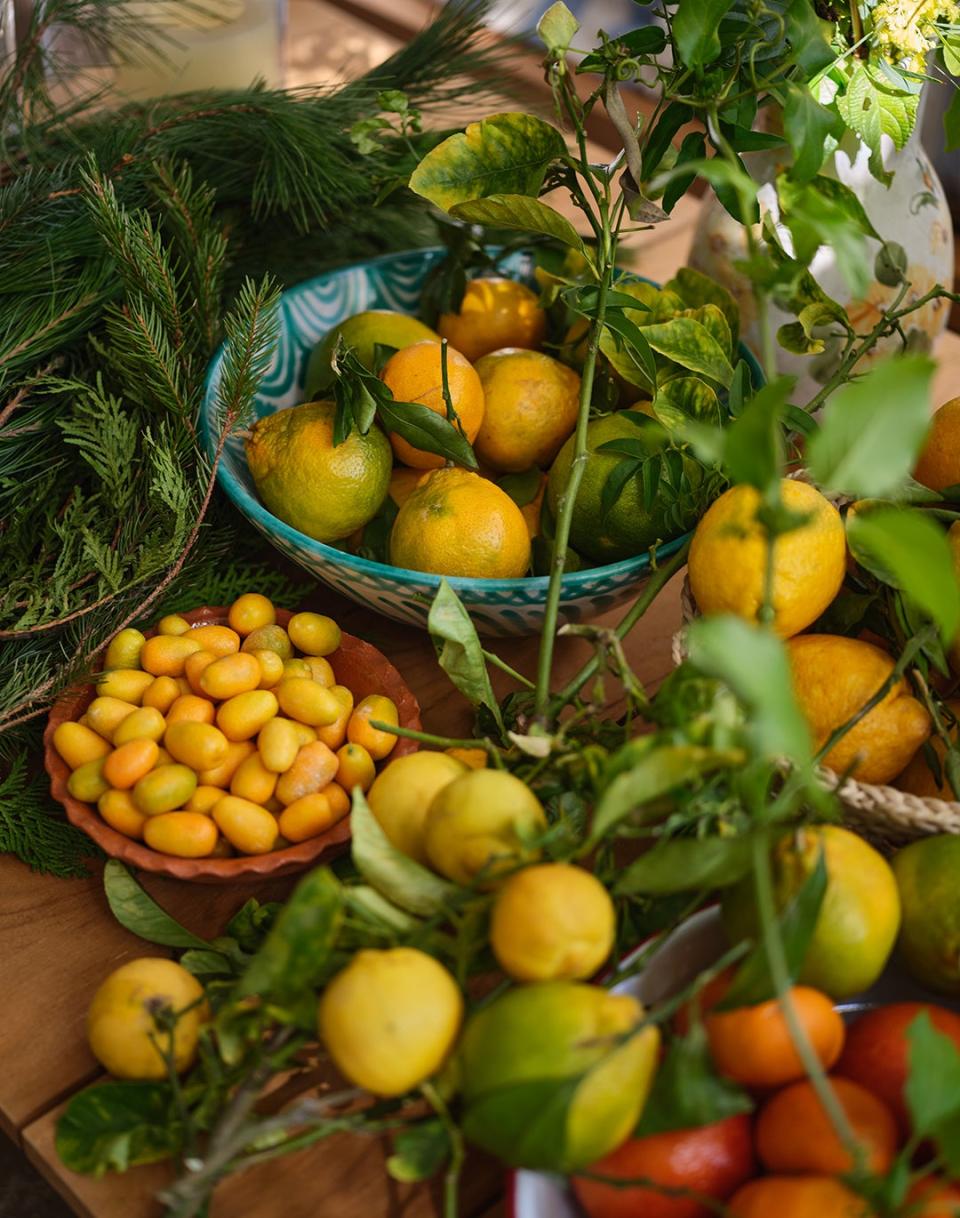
(712, 1161)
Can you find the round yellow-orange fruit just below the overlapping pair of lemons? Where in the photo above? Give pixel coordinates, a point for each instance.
(552, 923)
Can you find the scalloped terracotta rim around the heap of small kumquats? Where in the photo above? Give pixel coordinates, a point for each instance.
(209, 869)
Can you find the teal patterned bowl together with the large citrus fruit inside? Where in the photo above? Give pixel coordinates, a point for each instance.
(383, 521)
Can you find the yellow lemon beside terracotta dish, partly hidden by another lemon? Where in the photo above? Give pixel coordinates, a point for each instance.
(401, 796)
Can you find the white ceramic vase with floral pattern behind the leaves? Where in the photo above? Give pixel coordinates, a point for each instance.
(913, 211)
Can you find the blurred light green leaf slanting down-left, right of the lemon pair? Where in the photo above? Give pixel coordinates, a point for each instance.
(655, 774)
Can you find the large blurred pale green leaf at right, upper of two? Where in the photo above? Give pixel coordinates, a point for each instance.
(873, 431)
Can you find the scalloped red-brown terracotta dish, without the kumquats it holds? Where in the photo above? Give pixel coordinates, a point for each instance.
(356, 664)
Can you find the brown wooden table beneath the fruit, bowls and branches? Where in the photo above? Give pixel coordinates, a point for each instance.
(60, 941)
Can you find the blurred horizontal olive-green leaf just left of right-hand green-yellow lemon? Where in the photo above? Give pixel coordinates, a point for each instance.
(680, 865)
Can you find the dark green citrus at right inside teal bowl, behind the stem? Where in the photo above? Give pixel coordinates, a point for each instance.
(629, 528)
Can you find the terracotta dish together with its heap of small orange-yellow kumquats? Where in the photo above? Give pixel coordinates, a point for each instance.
(225, 742)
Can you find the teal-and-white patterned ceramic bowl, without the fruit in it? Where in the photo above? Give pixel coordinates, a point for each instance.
(498, 607)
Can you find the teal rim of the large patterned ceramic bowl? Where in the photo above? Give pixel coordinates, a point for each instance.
(573, 584)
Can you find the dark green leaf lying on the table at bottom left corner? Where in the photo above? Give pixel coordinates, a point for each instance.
(115, 1126)
